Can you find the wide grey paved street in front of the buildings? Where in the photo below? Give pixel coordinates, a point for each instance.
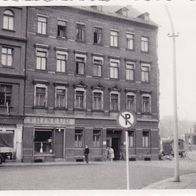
(95, 175)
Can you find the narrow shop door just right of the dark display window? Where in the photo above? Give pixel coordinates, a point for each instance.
(59, 143)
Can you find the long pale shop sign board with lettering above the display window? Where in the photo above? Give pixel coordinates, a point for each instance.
(50, 121)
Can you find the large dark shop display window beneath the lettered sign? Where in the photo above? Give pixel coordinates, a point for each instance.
(43, 141)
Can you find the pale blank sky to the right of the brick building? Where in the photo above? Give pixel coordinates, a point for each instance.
(184, 20)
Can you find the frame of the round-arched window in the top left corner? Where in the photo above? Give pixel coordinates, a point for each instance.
(8, 16)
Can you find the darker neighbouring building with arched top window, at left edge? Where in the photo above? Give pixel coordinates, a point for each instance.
(12, 77)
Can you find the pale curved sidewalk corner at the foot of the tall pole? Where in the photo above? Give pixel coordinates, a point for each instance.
(187, 181)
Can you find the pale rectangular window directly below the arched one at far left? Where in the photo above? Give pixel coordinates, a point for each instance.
(7, 56)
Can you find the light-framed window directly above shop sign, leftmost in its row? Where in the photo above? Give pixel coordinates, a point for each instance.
(40, 95)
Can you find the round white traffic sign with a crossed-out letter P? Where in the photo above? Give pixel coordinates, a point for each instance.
(126, 119)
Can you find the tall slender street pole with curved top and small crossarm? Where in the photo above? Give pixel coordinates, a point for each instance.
(173, 36)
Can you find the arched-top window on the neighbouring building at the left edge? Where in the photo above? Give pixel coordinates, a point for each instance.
(8, 20)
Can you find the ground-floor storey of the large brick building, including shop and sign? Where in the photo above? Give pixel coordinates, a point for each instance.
(60, 138)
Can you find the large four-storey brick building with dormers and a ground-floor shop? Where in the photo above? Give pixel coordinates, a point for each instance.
(84, 66)
